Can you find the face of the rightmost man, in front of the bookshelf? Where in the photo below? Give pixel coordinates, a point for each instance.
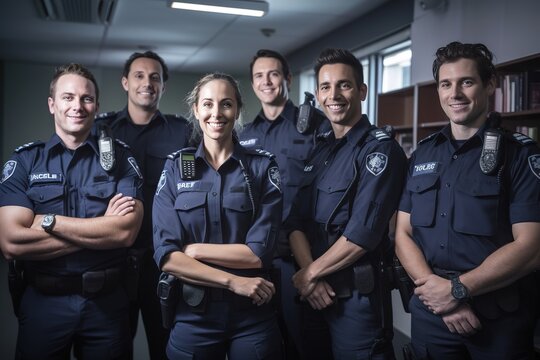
(462, 95)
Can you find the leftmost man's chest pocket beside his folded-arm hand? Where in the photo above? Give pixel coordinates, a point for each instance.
(95, 198)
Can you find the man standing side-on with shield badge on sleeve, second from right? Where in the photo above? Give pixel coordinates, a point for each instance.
(339, 223)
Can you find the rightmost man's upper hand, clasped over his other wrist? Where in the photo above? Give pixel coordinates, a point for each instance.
(436, 293)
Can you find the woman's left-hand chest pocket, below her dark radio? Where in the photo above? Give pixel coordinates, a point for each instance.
(191, 209)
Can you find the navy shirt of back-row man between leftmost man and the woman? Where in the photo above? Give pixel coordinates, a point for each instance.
(150, 144)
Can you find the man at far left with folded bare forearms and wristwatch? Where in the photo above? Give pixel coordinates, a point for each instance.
(70, 217)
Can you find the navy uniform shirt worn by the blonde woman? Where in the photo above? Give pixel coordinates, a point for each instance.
(216, 208)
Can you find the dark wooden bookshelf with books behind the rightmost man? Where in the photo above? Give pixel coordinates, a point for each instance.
(415, 112)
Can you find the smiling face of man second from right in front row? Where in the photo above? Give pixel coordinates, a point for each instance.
(339, 95)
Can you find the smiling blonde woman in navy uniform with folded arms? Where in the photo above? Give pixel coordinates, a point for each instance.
(217, 213)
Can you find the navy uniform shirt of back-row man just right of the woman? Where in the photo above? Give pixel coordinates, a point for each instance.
(290, 148)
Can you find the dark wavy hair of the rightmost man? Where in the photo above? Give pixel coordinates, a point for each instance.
(477, 52)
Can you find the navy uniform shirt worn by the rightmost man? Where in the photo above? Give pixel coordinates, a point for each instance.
(460, 215)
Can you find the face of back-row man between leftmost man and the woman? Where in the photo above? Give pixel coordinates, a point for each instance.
(144, 84)
